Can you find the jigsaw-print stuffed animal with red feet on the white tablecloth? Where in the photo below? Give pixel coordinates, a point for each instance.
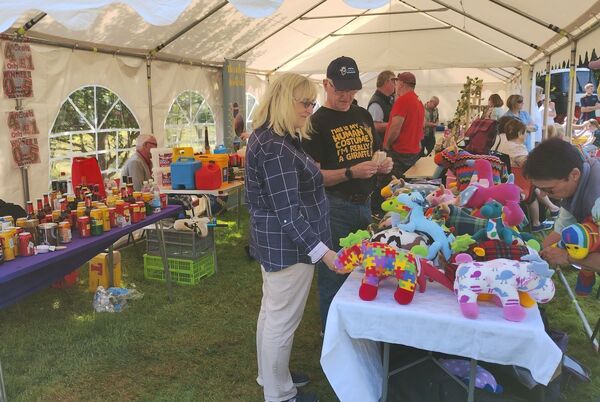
(380, 261)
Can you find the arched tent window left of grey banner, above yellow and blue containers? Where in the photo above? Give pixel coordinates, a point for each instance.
(188, 115)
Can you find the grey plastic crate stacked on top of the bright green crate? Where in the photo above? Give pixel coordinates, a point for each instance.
(180, 244)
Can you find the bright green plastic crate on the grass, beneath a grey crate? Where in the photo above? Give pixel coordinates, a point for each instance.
(184, 272)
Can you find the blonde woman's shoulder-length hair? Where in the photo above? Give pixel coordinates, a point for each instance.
(277, 107)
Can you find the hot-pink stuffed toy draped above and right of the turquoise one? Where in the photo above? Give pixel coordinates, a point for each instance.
(507, 194)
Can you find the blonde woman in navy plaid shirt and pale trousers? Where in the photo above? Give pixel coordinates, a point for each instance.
(289, 221)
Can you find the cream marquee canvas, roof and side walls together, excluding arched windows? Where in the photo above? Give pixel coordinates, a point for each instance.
(184, 42)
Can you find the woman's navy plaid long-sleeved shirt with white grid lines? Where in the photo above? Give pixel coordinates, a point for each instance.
(289, 212)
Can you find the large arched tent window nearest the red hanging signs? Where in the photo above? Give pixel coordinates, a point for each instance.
(92, 121)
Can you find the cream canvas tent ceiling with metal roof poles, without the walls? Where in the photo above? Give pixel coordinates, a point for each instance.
(403, 34)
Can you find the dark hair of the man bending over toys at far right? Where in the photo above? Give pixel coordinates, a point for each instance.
(553, 159)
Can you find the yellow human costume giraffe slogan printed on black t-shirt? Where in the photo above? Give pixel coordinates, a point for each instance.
(353, 141)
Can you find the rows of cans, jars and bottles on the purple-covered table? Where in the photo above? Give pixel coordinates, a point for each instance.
(57, 217)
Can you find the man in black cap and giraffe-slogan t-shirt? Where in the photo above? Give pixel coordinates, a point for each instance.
(343, 142)
